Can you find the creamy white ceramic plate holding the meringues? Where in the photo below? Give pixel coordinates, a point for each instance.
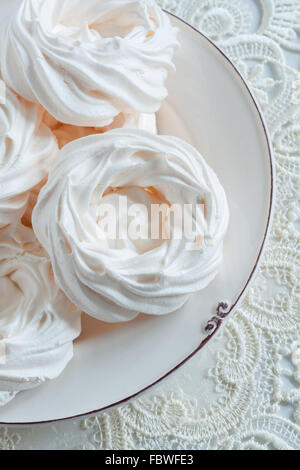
(114, 363)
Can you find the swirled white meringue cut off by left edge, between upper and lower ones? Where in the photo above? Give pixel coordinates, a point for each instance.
(27, 150)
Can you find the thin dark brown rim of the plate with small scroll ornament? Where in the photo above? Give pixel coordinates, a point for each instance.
(223, 310)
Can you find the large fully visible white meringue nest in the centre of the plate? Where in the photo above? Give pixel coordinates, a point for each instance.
(111, 279)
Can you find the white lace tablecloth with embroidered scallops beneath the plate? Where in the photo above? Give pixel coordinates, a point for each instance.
(243, 390)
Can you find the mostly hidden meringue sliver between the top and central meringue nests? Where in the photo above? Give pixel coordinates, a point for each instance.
(66, 133)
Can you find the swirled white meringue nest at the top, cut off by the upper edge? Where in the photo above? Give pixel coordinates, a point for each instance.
(86, 62)
